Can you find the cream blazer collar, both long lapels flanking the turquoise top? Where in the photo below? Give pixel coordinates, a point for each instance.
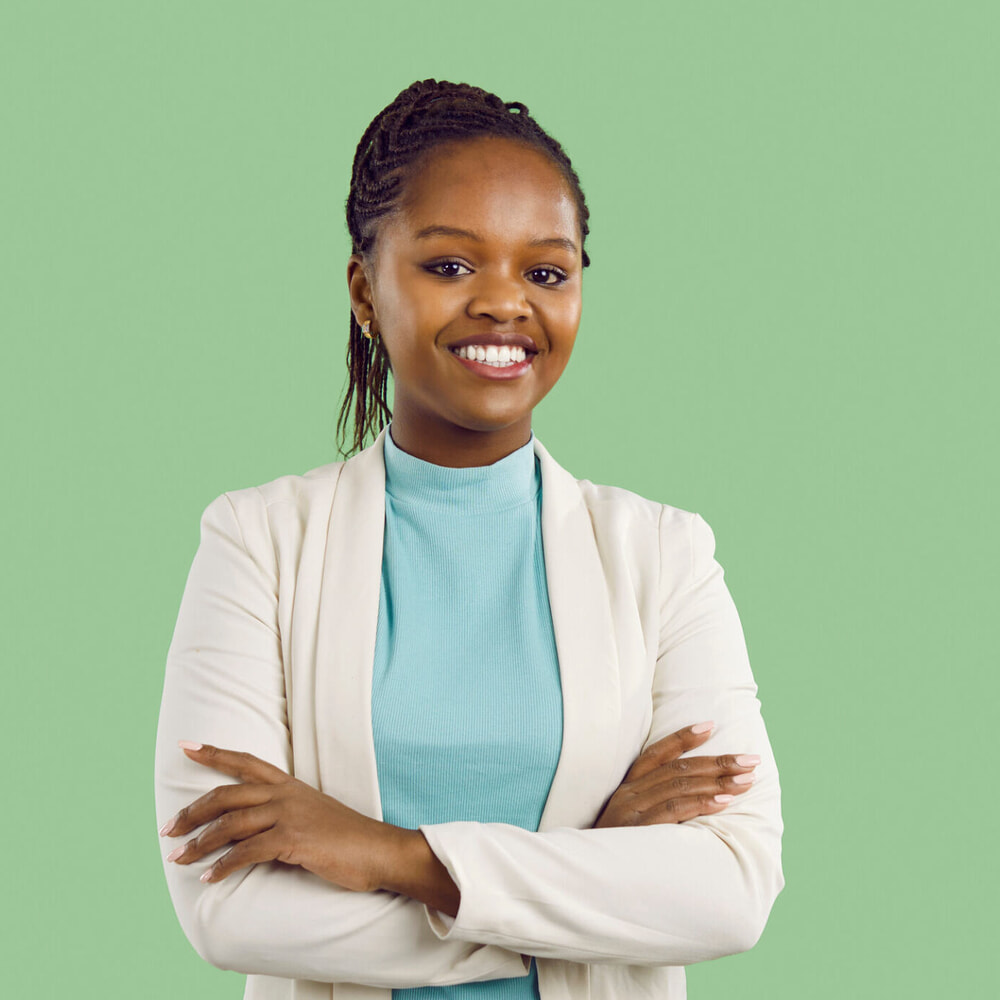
(581, 618)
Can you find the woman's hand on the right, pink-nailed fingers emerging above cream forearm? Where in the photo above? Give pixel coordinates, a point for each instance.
(663, 787)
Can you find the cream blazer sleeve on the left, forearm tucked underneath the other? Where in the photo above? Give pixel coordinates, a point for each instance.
(224, 685)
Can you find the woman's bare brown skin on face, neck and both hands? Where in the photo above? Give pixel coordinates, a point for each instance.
(420, 295)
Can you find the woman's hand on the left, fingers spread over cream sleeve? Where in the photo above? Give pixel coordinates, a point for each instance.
(272, 816)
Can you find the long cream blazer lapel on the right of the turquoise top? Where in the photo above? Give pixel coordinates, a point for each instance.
(588, 657)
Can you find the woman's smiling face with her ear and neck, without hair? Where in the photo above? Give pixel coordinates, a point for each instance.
(485, 246)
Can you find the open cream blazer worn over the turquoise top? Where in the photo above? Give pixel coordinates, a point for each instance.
(273, 653)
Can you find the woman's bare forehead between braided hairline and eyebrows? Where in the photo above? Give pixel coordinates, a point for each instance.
(490, 185)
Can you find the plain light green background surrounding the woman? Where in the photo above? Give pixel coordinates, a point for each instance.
(790, 326)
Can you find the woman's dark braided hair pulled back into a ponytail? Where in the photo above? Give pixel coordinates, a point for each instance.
(427, 114)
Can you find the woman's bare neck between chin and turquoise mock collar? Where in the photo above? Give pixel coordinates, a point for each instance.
(457, 447)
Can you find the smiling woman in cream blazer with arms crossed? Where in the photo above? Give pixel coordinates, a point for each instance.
(450, 685)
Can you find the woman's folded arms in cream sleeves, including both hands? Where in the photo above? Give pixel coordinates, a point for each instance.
(364, 900)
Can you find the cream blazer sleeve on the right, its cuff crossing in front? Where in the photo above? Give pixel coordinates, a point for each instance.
(653, 895)
